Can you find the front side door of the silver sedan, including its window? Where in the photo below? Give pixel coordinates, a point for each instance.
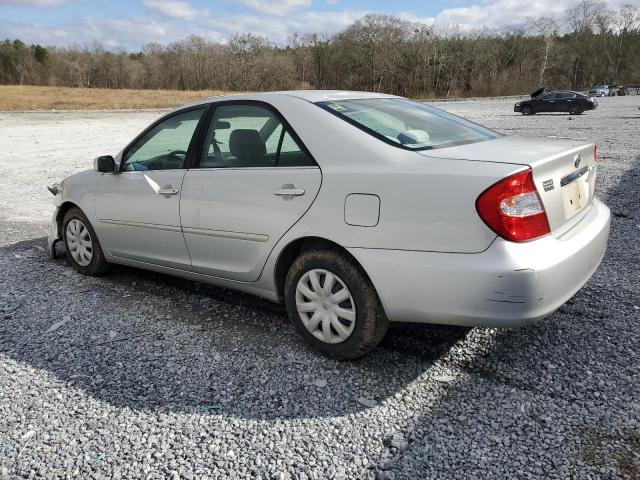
(138, 208)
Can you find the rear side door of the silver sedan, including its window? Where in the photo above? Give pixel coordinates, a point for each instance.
(254, 180)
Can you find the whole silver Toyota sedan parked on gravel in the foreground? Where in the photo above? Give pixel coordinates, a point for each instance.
(353, 209)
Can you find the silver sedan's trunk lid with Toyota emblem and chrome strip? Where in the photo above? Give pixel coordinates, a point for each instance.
(564, 171)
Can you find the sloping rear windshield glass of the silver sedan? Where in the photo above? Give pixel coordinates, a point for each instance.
(408, 124)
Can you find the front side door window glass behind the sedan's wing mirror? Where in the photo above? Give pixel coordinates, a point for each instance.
(165, 146)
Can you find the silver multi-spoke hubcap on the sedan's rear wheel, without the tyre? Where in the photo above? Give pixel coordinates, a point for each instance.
(325, 306)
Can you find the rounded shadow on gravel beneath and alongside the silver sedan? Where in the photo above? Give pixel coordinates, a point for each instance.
(154, 343)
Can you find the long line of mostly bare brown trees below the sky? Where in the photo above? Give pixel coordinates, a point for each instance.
(589, 44)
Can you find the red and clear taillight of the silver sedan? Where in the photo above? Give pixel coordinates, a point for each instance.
(512, 208)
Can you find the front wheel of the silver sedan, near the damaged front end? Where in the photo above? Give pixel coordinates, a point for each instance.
(81, 244)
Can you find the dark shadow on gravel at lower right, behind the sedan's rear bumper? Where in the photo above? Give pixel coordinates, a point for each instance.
(555, 395)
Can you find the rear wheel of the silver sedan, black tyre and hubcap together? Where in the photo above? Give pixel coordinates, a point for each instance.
(333, 305)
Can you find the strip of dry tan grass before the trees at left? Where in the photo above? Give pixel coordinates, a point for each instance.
(13, 97)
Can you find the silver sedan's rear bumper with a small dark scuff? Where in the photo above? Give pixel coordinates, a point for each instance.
(508, 285)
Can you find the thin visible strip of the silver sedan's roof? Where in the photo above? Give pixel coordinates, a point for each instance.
(307, 95)
